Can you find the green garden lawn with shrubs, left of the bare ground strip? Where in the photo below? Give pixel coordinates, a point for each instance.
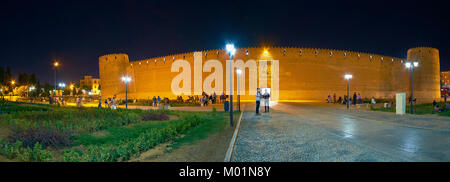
(40, 132)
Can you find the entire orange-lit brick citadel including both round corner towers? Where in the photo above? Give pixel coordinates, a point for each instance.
(293, 74)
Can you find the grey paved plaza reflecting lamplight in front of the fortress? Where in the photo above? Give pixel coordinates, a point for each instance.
(328, 132)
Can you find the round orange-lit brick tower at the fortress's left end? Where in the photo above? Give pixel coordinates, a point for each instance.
(112, 67)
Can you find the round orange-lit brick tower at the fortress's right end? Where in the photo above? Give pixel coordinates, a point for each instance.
(426, 76)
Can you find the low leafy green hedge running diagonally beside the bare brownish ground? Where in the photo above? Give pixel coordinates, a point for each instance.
(127, 149)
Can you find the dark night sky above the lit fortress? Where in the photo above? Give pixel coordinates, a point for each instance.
(34, 33)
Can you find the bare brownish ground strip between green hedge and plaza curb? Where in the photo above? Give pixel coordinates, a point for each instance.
(211, 149)
